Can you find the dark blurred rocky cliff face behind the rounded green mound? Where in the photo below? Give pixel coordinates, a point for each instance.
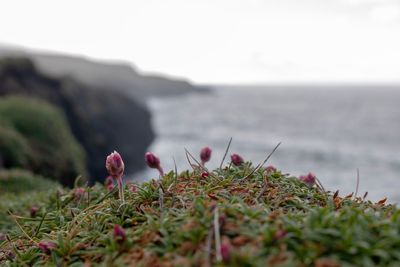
(101, 119)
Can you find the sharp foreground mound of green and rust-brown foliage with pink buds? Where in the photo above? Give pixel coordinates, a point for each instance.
(232, 217)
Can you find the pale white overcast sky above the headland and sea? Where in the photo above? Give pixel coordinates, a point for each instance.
(220, 41)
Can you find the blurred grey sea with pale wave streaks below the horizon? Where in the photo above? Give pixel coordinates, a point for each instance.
(329, 130)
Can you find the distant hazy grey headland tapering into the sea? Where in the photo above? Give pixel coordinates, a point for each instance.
(119, 76)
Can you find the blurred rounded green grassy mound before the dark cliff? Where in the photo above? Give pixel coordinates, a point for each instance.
(34, 135)
